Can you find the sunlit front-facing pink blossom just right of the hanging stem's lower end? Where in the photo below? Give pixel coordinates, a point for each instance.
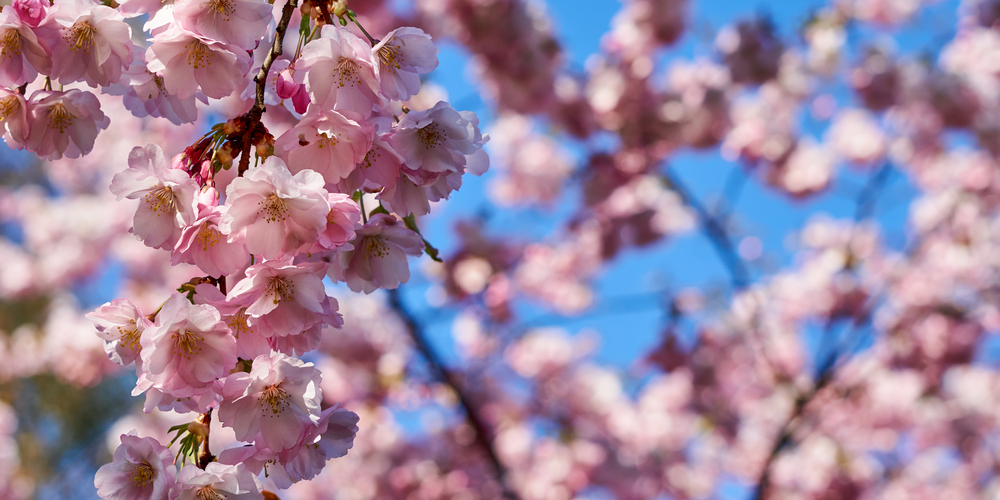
(276, 403)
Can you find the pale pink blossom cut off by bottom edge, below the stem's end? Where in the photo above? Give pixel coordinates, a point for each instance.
(217, 481)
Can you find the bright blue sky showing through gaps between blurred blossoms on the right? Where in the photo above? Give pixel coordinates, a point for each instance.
(687, 260)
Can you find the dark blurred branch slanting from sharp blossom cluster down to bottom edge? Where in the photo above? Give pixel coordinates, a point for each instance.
(472, 414)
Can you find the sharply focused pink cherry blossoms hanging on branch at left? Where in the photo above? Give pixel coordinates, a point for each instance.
(264, 241)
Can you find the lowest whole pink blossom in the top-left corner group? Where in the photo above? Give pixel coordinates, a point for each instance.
(64, 123)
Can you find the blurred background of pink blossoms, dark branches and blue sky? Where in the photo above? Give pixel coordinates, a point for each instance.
(725, 249)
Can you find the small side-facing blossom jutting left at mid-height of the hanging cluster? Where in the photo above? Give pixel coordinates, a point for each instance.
(120, 324)
